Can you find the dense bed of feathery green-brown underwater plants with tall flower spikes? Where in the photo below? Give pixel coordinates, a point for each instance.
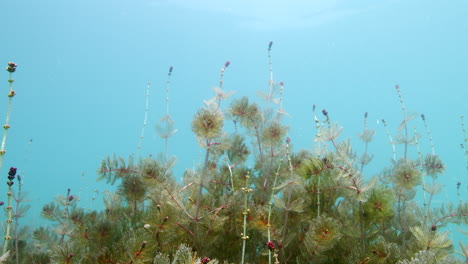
(254, 198)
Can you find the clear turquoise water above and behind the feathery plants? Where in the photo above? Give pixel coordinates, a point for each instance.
(83, 67)
